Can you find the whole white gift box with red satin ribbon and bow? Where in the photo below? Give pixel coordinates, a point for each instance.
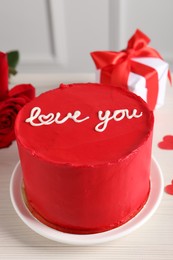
(139, 68)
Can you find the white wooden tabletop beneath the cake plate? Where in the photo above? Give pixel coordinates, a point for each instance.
(154, 240)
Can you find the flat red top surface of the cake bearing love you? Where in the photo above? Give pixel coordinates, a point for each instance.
(84, 124)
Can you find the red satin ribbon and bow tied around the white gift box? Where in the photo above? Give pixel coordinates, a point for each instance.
(116, 66)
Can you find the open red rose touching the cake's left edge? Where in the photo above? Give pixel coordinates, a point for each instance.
(9, 109)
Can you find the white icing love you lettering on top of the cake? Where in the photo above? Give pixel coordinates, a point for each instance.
(38, 119)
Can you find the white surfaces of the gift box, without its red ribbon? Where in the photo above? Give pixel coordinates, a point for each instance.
(137, 83)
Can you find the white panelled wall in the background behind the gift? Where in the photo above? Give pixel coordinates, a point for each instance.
(58, 35)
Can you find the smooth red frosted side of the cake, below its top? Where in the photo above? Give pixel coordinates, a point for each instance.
(86, 200)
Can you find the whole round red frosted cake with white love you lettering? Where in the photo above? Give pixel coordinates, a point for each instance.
(85, 152)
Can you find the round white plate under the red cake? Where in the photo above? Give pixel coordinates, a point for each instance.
(73, 239)
